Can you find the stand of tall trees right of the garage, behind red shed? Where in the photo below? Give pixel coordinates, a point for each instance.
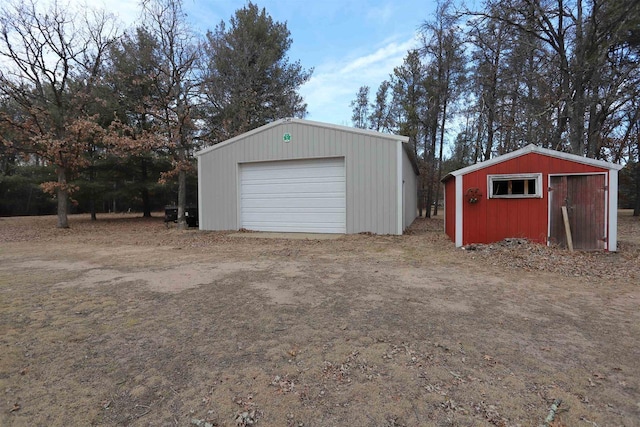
(559, 74)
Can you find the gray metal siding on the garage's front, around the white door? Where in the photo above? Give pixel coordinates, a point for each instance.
(370, 166)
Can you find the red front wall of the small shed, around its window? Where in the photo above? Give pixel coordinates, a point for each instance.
(492, 220)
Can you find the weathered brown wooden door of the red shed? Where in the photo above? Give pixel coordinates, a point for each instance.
(584, 196)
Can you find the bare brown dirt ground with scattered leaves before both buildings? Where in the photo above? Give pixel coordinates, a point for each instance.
(126, 322)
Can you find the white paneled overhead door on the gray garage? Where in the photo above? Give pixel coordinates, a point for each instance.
(294, 196)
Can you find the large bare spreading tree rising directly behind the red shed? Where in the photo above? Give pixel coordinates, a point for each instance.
(578, 43)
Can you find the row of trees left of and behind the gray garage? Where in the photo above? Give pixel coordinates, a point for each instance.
(89, 113)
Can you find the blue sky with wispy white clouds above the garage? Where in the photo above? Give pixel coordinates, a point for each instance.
(349, 43)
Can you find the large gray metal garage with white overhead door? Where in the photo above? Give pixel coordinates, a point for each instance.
(297, 175)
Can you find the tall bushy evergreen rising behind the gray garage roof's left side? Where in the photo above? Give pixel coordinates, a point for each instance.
(249, 80)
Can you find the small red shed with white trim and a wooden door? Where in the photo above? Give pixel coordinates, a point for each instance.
(521, 194)
